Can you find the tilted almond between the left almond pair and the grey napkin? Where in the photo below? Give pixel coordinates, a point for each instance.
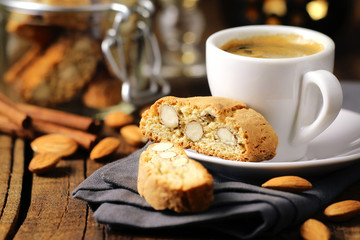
(104, 148)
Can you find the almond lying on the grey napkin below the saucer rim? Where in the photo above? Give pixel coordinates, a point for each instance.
(288, 183)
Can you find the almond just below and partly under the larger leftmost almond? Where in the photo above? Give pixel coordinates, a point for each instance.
(43, 162)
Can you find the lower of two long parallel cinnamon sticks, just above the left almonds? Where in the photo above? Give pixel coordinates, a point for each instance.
(84, 139)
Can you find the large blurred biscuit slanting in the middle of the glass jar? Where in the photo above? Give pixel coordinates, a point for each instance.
(55, 74)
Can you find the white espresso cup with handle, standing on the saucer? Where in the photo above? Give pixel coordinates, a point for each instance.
(299, 96)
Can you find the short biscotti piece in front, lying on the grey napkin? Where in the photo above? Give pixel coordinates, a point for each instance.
(168, 179)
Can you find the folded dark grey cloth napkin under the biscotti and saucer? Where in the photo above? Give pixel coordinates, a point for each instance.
(241, 209)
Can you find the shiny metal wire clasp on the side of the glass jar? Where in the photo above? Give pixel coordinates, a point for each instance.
(142, 77)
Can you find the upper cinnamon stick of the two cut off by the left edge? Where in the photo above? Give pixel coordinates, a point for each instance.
(10, 110)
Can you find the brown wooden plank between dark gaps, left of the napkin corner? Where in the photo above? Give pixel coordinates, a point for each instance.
(53, 213)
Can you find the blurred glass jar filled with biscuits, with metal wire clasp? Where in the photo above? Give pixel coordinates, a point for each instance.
(95, 54)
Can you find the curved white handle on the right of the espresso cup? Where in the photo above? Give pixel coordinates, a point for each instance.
(317, 84)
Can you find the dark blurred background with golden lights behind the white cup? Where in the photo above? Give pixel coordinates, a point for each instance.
(182, 27)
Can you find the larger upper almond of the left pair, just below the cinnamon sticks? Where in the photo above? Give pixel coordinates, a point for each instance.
(55, 143)
